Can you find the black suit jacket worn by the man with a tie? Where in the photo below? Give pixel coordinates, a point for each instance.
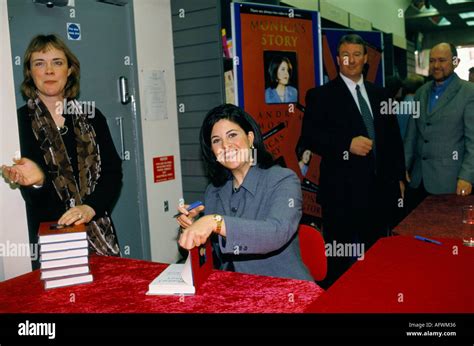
(331, 120)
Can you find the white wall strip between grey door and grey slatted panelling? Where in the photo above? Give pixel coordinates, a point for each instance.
(154, 42)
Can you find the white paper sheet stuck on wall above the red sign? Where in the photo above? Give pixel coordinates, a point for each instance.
(155, 95)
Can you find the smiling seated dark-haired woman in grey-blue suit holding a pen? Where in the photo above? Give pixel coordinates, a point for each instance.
(252, 206)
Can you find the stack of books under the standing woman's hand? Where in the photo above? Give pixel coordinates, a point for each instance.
(64, 255)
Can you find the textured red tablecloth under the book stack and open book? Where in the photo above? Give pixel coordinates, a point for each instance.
(120, 285)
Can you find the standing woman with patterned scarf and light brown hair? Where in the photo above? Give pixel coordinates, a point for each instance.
(69, 170)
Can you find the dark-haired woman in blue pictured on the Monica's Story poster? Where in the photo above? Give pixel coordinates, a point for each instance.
(280, 91)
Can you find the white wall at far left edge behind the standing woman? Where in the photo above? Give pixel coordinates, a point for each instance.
(13, 226)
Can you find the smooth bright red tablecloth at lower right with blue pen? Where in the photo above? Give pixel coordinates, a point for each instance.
(402, 274)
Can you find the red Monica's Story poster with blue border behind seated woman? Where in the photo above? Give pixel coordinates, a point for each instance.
(277, 60)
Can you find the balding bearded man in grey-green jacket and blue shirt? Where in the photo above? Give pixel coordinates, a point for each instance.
(439, 144)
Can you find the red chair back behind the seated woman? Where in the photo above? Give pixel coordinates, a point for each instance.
(313, 251)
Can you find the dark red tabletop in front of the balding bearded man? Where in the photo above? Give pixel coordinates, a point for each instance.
(437, 216)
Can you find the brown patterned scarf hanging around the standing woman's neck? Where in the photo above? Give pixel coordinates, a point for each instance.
(101, 233)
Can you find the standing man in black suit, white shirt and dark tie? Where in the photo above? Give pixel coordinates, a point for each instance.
(362, 163)
